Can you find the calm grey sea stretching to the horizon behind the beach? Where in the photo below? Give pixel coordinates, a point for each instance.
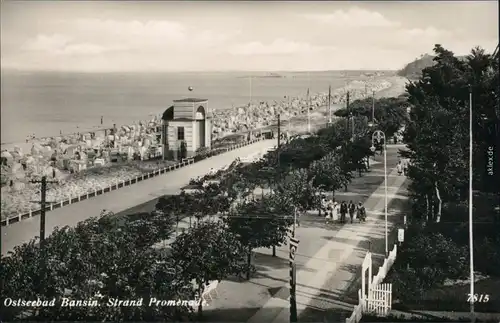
(49, 103)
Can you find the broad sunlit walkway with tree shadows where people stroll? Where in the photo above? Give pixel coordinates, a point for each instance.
(328, 260)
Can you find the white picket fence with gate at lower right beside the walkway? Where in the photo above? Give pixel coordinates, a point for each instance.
(379, 298)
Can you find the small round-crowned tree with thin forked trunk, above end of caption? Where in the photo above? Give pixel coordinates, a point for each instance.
(205, 253)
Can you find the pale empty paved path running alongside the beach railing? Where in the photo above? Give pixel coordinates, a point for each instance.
(123, 199)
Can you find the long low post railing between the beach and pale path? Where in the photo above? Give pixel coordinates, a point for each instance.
(118, 184)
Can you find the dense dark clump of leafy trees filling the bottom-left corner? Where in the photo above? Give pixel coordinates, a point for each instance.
(97, 257)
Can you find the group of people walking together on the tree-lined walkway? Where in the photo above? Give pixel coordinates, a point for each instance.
(339, 211)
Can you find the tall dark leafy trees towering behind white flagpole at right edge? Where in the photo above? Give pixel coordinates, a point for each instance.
(437, 134)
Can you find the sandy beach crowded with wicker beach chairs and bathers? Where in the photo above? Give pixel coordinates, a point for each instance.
(19, 195)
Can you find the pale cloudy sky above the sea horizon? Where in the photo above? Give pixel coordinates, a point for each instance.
(91, 36)
